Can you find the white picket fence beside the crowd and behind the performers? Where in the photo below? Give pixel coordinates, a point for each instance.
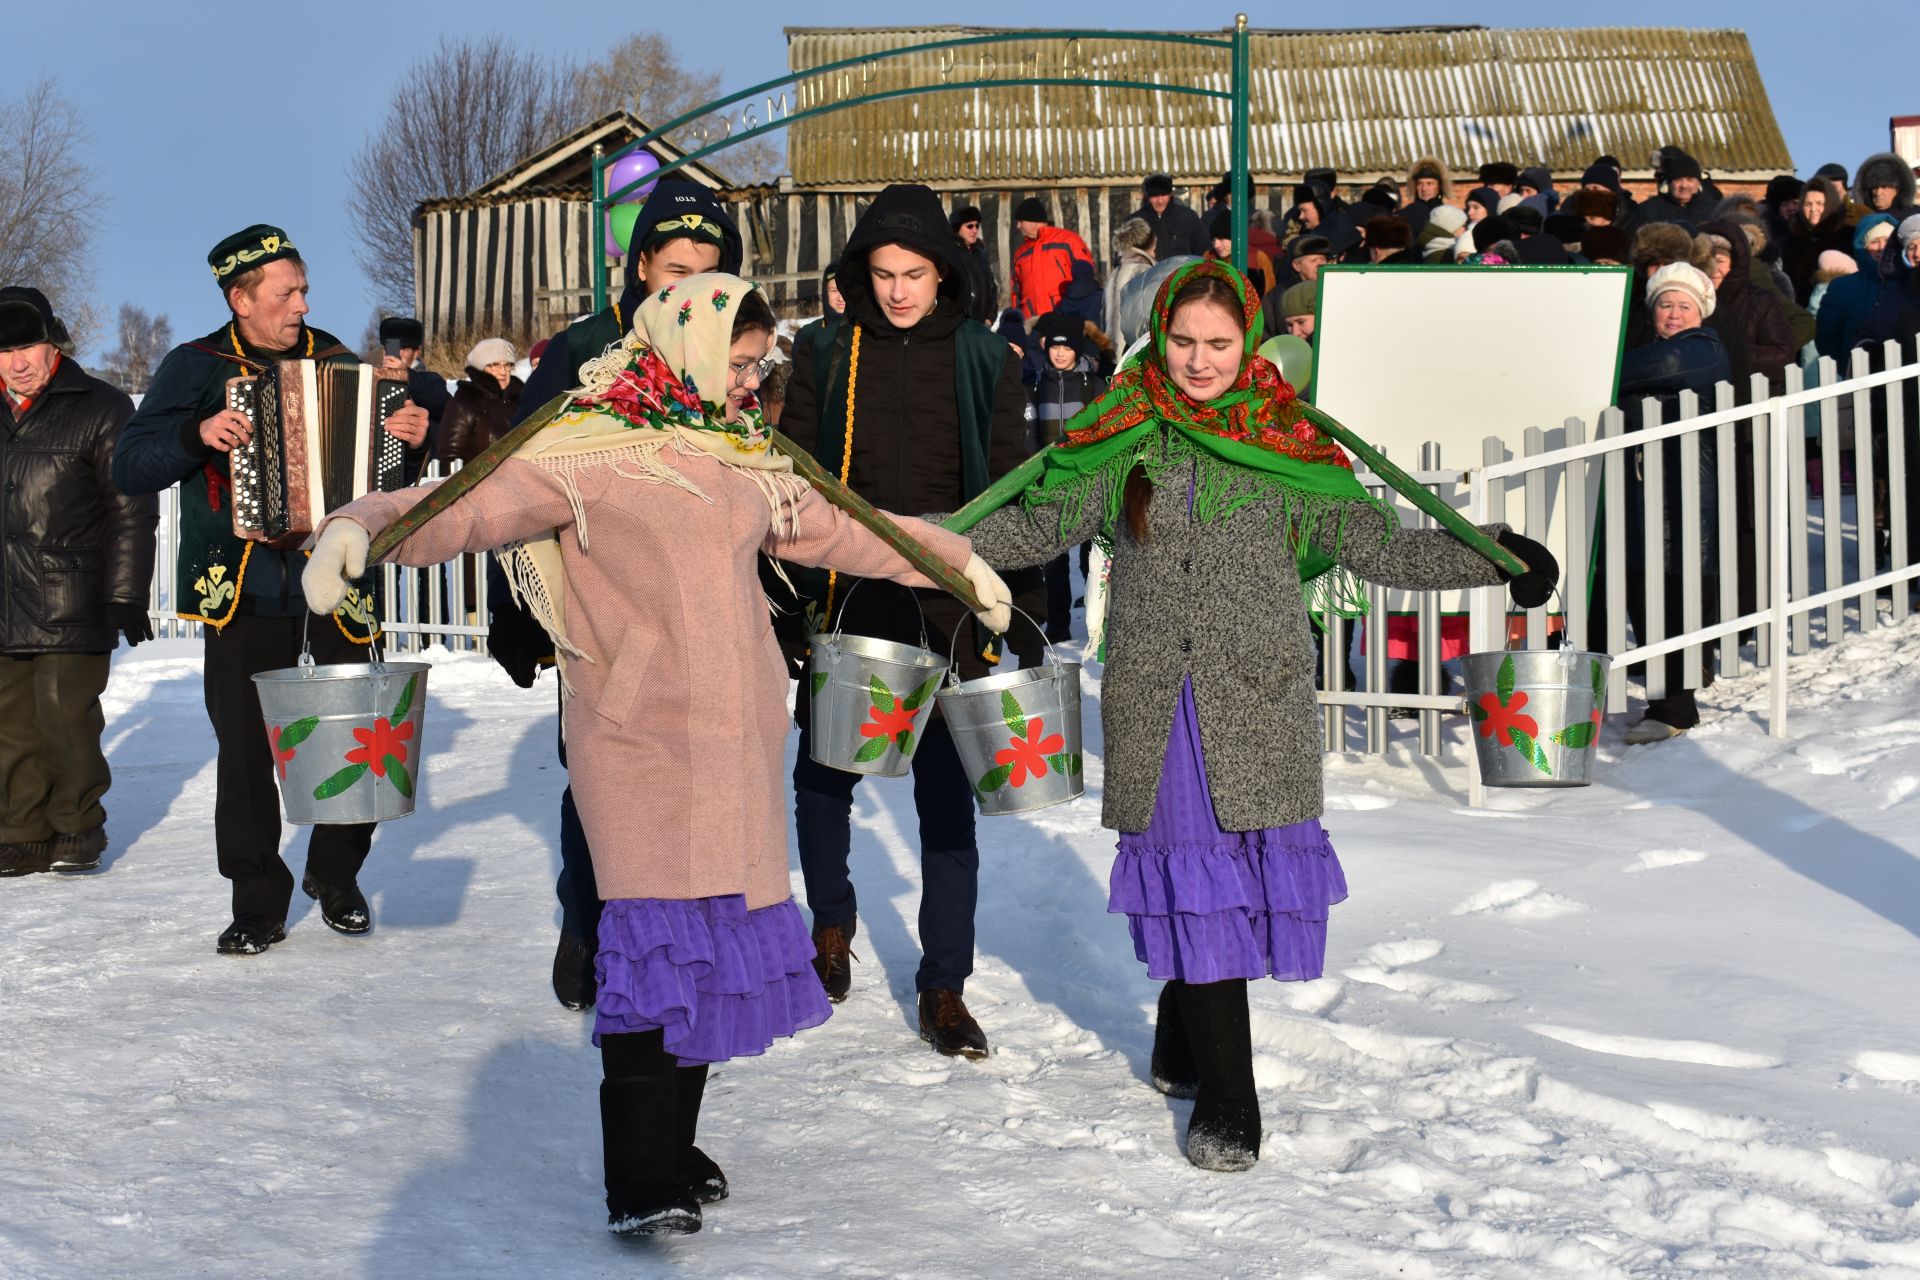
(1819, 569)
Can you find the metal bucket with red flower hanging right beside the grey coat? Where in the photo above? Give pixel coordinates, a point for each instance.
(1019, 736)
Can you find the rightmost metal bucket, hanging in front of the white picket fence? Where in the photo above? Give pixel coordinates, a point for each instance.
(1537, 715)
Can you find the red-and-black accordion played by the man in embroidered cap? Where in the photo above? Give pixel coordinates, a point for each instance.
(320, 442)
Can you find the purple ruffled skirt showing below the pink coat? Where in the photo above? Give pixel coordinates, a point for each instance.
(719, 980)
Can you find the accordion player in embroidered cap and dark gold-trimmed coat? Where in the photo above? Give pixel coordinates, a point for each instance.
(245, 592)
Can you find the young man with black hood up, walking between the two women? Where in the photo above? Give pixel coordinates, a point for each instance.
(919, 408)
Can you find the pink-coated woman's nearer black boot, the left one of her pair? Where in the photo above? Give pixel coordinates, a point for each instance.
(640, 1143)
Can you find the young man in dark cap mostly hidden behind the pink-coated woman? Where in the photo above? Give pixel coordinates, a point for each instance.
(681, 231)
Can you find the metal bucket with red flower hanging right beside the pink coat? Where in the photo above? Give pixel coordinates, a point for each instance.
(871, 703)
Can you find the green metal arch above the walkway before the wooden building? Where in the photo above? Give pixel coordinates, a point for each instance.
(1237, 97)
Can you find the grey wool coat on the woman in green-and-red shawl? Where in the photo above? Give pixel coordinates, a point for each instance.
(1222, 604)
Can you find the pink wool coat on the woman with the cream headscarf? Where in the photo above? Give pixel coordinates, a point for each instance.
(679, 719)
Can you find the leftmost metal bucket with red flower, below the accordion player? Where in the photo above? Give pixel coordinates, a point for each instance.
(347, 740)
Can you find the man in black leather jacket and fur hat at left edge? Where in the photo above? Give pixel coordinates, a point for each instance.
(76, 573)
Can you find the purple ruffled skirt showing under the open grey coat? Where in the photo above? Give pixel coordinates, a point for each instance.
(1209, 905)
